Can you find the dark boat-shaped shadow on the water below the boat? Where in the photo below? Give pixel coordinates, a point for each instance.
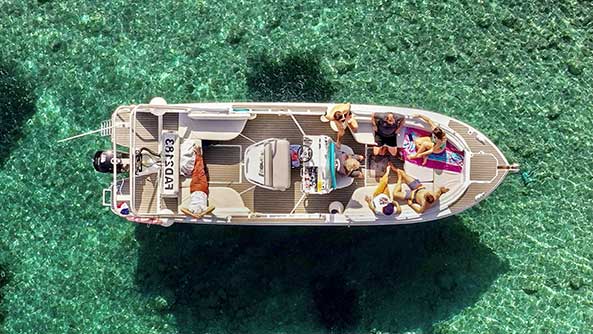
(287, 279)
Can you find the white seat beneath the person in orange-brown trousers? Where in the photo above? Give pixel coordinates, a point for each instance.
(226, 201)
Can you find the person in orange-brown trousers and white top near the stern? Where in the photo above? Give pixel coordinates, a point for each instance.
(198, 206)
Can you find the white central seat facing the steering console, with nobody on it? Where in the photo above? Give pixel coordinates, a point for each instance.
(268, 164)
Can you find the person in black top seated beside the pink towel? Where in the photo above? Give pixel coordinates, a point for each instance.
(386, 127)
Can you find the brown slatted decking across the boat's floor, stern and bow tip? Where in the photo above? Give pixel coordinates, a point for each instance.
(223, 160)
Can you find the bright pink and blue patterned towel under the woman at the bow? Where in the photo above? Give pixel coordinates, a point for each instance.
(450, 159)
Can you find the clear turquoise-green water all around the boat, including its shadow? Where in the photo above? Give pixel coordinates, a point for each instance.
(519, 262)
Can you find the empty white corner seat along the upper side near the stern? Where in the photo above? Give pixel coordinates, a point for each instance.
(211, 127)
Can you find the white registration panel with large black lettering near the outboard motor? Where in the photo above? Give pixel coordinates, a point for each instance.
(170, 156)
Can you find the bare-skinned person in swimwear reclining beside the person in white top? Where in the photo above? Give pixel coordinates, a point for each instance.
(418, 197)
